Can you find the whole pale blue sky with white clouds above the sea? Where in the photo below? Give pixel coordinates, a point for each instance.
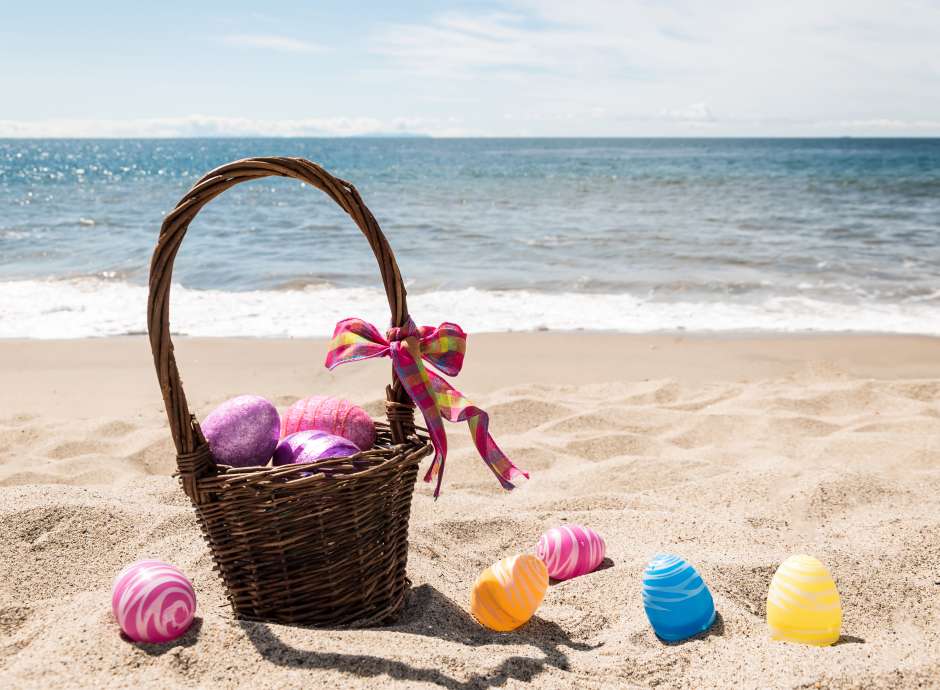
(513, 68)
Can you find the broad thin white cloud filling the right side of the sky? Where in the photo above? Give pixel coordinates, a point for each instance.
(795, 68)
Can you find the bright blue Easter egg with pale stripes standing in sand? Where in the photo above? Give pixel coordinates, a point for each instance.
(677, 601)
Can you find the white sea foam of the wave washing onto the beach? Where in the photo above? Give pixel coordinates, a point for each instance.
(91, 307)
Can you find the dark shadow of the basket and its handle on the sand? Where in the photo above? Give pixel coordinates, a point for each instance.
(429, 613)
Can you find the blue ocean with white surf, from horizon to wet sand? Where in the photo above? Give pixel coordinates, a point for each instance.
(632, 235)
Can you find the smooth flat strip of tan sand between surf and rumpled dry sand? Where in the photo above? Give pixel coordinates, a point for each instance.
(33, 368)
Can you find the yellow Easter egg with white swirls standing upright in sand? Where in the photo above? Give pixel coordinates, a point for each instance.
(803, 603)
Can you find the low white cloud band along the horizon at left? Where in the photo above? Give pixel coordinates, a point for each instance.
(216, 126)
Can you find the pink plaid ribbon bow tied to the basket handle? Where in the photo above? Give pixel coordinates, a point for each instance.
(443, 347)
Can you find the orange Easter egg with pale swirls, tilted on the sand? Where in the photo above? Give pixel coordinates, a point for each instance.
(507, 594)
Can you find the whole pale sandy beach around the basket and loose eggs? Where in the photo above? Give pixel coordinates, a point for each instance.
(733, 452)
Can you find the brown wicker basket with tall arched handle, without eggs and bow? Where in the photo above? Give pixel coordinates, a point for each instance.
(323, 547)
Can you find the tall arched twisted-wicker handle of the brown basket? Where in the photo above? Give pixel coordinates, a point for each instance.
(193, 457)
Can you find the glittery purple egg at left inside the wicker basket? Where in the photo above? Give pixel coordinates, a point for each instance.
(242, 431)
